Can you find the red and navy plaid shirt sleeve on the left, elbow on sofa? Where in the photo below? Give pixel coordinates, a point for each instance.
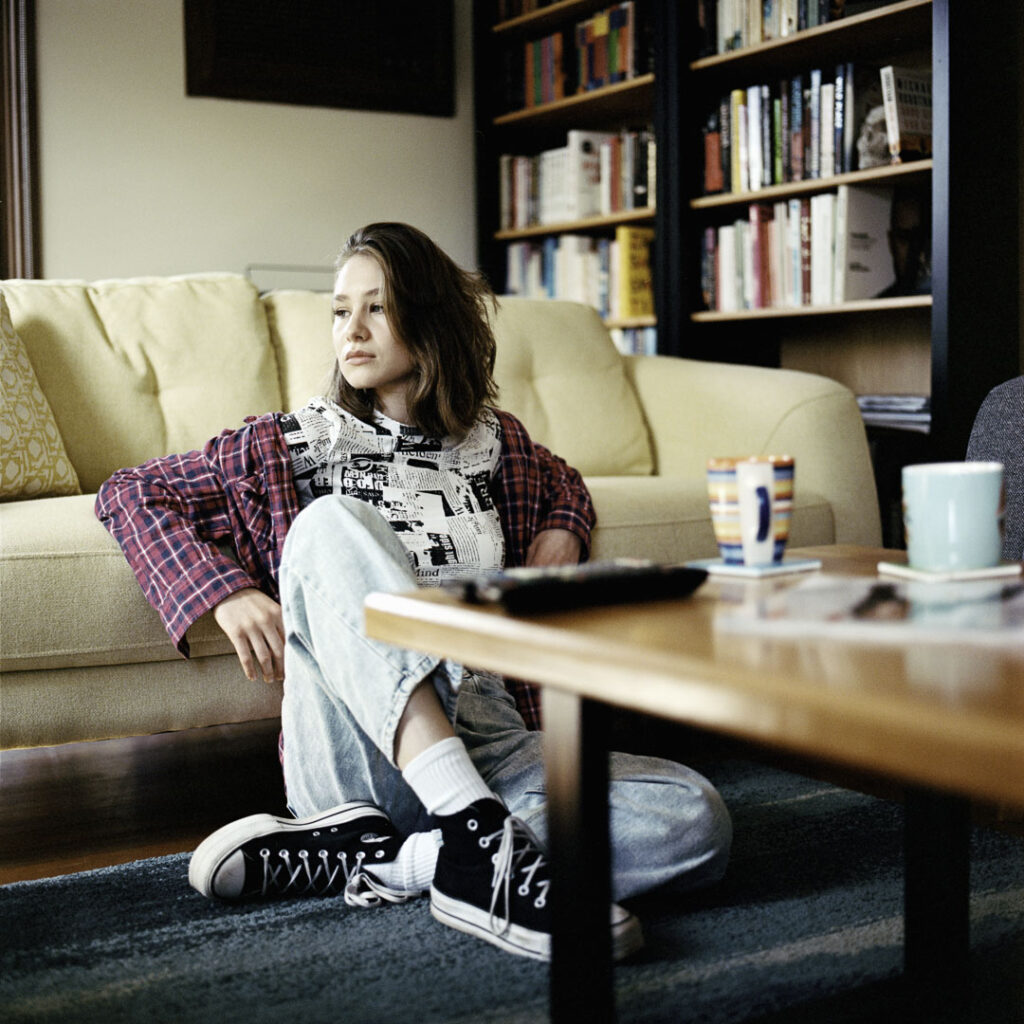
(174, 516)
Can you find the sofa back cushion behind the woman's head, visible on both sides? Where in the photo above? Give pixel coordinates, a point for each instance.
(558, 370)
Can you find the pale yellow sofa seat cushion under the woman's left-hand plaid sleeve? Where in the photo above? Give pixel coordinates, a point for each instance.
(70, 599)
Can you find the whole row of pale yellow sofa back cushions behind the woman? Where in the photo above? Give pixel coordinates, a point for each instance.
(139, 368)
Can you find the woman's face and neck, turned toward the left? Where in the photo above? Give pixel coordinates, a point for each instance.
(370, 356)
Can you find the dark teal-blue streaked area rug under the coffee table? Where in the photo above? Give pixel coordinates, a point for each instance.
(807, 927)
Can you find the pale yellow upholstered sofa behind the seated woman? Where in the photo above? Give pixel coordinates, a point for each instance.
(139, 368)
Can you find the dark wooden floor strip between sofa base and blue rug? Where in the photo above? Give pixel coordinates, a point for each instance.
(90, 805)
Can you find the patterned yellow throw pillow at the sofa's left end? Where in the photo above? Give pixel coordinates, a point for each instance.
(35, 463)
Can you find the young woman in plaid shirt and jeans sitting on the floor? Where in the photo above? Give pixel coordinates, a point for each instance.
(406, 774)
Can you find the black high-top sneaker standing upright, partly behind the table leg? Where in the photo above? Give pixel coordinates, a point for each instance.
(493, 881)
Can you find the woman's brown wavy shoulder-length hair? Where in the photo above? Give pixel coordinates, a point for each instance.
(443, 315)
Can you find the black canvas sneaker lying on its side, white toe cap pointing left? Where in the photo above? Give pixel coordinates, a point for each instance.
(266, 858)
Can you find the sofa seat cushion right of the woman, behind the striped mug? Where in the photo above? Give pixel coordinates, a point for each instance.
(667, 519)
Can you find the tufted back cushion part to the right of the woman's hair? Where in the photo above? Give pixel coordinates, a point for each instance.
(561, 373)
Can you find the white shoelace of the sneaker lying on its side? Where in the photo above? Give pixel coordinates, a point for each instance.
(317, 876)
